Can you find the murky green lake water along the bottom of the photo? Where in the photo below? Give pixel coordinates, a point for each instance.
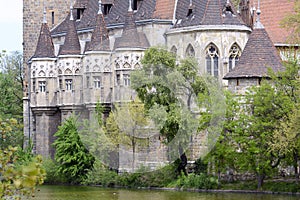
(97, 193)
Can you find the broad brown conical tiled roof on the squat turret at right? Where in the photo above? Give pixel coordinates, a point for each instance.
(259, 55)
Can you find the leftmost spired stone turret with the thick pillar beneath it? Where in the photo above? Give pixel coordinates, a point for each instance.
(42, 94)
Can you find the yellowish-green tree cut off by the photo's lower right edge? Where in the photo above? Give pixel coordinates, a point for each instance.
(285, 140)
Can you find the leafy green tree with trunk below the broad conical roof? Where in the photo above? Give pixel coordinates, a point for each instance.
(265, 107)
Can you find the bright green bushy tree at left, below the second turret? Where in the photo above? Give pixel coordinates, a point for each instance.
(73, 157)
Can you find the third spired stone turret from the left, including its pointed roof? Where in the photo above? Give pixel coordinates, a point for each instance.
(98, 62)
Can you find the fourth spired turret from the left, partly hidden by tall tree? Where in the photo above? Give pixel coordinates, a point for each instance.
(129, 50)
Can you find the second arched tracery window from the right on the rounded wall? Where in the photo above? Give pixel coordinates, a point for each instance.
(212, 60)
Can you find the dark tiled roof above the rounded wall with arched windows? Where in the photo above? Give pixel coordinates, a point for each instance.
(206, 12)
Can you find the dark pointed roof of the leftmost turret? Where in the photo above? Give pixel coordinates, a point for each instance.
(45, 47)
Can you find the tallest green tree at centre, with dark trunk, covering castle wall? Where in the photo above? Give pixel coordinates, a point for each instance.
(164, 87)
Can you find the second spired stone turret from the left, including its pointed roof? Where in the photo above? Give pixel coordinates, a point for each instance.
(70, 71)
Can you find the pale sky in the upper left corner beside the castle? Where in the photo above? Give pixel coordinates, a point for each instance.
(11, 23)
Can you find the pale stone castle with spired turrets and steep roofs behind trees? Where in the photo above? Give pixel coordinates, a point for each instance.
(92, 47)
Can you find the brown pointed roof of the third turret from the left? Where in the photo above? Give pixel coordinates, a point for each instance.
(100, 39)
